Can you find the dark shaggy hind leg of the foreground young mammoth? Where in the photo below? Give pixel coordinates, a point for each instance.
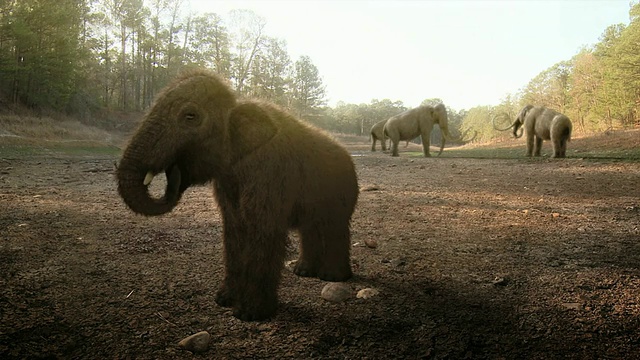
(324, 251)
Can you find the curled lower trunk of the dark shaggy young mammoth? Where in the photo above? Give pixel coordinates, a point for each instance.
(133, 181)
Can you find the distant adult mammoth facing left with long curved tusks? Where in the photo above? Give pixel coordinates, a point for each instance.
(541, 123)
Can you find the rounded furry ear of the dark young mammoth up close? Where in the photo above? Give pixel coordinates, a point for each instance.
(250, 127)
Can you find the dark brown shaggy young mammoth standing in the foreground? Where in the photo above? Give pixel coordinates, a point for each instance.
(270, 173)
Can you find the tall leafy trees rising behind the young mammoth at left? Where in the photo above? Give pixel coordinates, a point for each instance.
(84, 55)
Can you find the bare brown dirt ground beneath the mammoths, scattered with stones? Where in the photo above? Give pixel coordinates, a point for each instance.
(476, 259)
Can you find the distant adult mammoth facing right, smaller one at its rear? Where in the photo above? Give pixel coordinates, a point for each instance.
(417, 122)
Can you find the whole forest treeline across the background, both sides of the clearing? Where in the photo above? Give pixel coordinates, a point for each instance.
(89, 57)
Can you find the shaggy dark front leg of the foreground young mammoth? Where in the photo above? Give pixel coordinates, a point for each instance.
(253, 262)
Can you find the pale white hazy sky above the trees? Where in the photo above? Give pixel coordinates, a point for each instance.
(467, 53)
